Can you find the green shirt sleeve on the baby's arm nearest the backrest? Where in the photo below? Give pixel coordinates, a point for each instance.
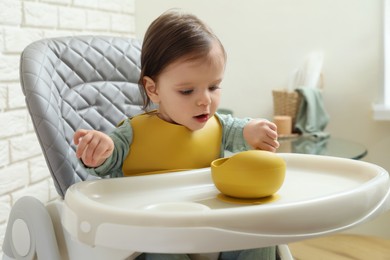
(122, 138)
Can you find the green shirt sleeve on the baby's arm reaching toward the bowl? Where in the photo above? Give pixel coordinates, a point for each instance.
(233, 138)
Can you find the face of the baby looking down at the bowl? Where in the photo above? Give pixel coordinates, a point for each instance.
(189, 90)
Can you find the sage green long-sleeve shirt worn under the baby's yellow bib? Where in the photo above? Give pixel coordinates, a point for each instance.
(232, 140)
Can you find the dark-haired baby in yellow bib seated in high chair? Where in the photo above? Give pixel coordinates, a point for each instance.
(182, 68)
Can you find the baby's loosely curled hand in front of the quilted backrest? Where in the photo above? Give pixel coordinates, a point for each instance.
(93, 147)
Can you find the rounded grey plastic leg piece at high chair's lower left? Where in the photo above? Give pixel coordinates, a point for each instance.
(30, 232)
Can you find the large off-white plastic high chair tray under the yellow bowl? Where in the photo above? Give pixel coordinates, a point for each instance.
(182, 212)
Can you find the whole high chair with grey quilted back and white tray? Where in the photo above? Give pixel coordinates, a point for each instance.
(91, 82)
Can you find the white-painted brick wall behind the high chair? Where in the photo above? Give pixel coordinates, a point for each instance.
(23, 169)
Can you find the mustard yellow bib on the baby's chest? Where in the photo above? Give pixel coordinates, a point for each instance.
(159, 146)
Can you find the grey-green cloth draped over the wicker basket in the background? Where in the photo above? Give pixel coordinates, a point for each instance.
(311, 117)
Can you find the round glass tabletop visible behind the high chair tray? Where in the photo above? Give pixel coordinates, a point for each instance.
(330, 146)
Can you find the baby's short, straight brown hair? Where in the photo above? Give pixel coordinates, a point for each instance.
(171, 36)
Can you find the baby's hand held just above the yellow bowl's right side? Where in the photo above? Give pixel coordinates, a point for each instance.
(261, 134)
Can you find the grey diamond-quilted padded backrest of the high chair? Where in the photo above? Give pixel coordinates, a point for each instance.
(77, 82)
